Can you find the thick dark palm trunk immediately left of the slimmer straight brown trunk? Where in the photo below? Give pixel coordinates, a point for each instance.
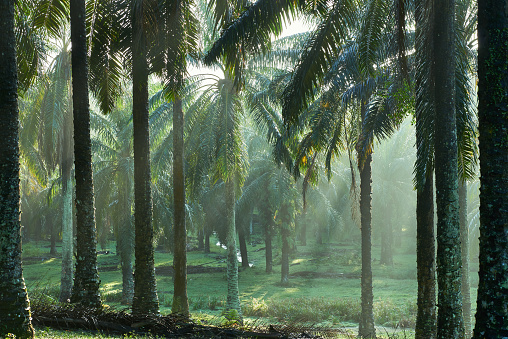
(145, 286)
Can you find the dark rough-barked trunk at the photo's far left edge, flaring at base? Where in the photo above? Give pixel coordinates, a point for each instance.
(14, 304)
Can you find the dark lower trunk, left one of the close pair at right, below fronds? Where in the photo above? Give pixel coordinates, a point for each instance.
(426, 261)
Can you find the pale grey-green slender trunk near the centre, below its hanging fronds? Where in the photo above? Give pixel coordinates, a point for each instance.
(233, 299)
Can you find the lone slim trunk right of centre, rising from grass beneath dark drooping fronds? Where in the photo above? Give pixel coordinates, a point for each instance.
(366, 326)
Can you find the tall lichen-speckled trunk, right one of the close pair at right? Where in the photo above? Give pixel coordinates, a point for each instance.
(449, 320)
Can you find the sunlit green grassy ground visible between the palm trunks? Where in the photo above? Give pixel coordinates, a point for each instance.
(323, 292)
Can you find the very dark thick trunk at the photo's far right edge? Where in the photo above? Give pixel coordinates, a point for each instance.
(492, 310)
